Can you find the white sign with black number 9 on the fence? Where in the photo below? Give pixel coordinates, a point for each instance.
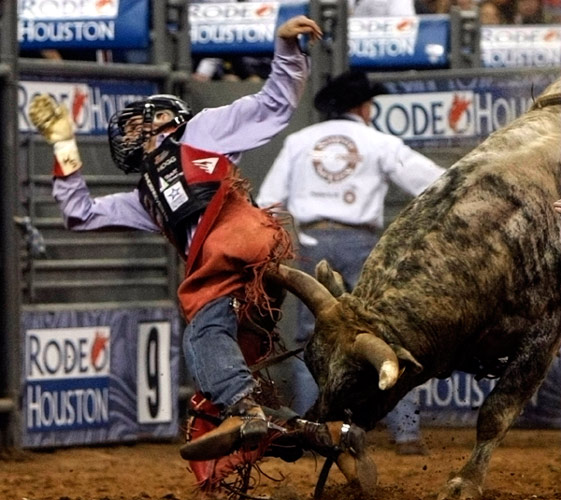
(153, 402)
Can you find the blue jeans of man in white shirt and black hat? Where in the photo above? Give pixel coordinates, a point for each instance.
(346, 250)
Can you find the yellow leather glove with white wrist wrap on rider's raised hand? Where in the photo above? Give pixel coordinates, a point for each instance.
(55, 125)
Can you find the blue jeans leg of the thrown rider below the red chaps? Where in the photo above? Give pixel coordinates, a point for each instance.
(213, 356)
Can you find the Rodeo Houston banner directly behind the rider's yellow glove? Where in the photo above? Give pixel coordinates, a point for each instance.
(90, 103)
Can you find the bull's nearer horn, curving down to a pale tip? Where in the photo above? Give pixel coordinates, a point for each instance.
(380, 355)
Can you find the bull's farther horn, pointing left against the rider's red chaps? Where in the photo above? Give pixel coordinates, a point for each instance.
(305, 287)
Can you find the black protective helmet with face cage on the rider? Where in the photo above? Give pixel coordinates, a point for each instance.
(130, 128)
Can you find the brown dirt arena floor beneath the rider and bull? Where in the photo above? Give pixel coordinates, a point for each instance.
(527, 466)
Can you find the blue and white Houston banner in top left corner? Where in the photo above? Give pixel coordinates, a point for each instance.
(83, 24)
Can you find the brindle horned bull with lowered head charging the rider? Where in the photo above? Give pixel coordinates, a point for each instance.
(467, 277)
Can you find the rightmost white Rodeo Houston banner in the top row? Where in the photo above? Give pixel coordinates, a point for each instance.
(520, 46)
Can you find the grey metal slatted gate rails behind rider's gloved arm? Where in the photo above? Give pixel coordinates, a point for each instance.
(88, 267)
